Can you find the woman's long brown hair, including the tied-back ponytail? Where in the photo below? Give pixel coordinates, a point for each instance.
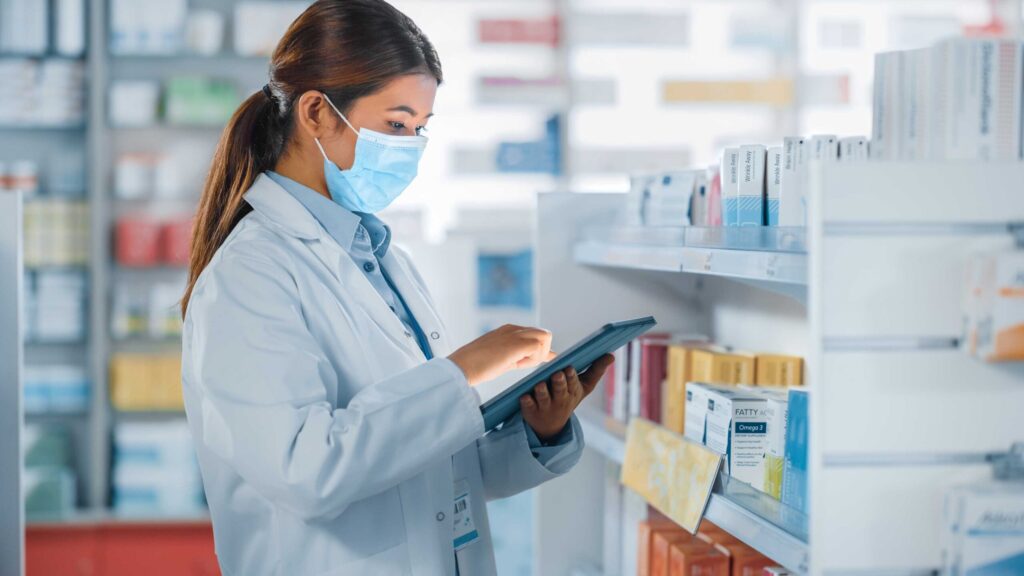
(346, 49)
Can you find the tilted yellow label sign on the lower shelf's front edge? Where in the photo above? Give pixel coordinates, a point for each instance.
(674, 475)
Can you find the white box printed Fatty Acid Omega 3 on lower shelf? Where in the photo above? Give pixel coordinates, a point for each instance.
(737, 427)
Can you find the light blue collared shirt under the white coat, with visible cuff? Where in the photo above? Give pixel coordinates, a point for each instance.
(366, 239)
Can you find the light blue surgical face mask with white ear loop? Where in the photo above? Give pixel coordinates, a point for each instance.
(385, 167)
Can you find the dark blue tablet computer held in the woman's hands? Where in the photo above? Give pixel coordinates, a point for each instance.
(611, 338)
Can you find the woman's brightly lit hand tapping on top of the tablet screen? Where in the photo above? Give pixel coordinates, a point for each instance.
(500, 351)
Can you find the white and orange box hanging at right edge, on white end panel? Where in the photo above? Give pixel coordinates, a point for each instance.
(1001, 307)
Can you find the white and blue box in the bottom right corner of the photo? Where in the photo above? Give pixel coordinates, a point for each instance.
(985, 529)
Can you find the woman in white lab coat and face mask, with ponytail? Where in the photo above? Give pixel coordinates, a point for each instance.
(335, 431)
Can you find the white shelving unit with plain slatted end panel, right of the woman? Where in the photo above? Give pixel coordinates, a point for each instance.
(879, 323)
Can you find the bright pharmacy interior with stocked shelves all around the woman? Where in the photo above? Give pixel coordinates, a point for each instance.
(821, 201)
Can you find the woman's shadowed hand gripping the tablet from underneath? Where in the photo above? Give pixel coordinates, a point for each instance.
(550, 405)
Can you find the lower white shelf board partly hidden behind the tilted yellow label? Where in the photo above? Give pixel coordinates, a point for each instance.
(758, 520)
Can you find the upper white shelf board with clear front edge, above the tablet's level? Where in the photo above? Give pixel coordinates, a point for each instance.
(771, 259)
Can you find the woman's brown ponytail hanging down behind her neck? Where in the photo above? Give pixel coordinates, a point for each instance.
(247, 148)
